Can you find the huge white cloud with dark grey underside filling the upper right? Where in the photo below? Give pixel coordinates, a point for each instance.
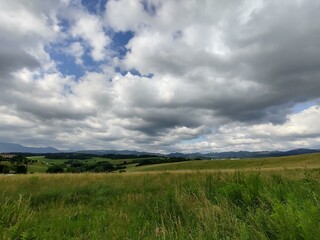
(254, 59)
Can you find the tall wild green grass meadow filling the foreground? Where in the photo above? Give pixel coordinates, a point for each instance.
(237, 205)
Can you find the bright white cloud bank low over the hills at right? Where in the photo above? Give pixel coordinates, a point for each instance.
(299, 131)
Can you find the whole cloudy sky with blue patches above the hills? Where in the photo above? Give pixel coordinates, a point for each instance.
(160, 75)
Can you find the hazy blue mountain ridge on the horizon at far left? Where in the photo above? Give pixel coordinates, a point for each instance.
(13, 147)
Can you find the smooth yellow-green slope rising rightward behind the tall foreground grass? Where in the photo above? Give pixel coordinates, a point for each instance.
(299, 161)
